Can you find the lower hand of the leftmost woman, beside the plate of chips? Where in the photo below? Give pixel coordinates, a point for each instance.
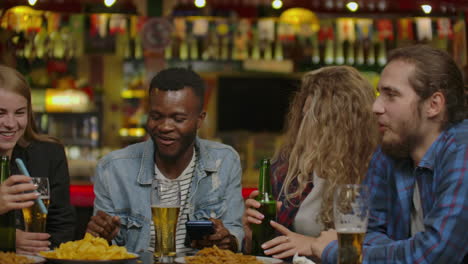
(31, 243)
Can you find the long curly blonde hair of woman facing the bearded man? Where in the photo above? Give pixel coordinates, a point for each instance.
(330, 130)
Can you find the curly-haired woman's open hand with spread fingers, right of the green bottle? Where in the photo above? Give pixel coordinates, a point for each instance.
(288, 244)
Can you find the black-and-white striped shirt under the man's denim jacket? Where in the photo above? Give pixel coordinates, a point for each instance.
(185, 180)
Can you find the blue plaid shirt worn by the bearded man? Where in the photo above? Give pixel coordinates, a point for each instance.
(442, 177)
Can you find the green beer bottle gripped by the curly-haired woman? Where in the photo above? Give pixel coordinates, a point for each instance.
(264, 232)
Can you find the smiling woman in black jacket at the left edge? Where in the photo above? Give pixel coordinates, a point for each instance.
(43, 156)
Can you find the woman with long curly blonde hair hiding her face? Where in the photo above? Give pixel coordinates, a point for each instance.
(330, 136)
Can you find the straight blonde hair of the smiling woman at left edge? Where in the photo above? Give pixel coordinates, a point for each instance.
(11, 80)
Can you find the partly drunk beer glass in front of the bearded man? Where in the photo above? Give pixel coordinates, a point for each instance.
(351, 213)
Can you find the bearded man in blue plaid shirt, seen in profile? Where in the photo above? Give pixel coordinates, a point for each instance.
(418, 178)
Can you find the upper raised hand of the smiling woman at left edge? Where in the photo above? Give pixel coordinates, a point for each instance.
(12, 196)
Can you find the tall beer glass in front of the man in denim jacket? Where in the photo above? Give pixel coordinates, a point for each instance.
(165, 208)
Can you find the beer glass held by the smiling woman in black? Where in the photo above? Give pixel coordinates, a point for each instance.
(34, 219)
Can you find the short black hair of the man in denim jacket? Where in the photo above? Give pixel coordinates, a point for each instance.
(174, 79)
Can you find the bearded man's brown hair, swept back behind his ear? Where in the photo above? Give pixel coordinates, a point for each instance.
(435, 70)
